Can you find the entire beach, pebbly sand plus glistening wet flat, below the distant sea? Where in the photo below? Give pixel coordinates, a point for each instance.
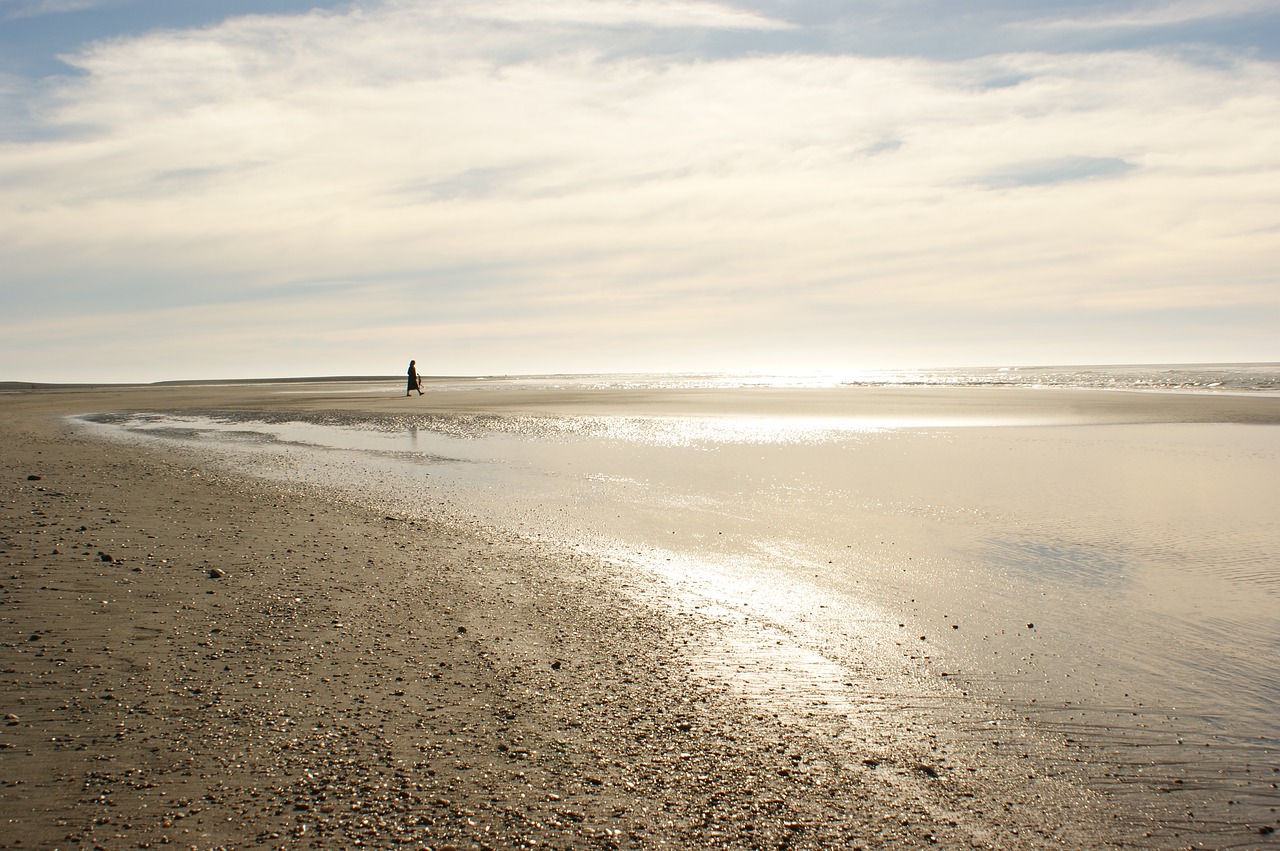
(701, 701)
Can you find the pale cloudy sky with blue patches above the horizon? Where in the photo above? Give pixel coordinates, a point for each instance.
(225, 189)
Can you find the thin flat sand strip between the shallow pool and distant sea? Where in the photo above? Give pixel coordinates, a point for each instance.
(1013, 405)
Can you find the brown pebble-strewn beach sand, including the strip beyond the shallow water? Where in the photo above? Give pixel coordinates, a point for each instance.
(204, 660)
